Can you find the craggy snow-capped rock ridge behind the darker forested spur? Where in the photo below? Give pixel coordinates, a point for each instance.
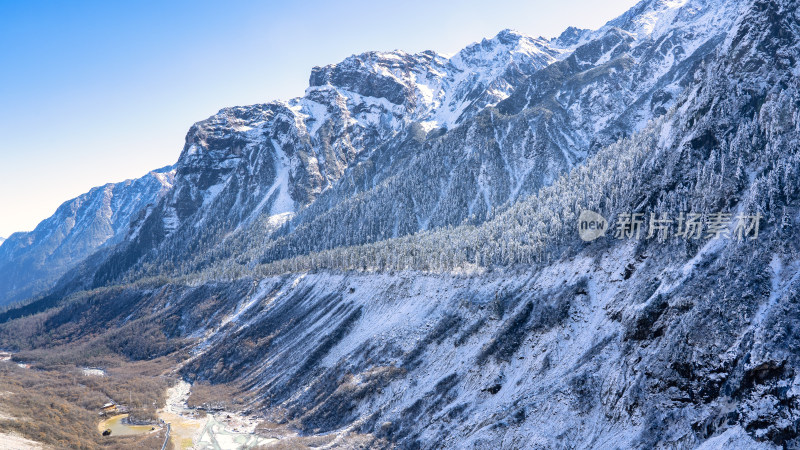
(286, 154)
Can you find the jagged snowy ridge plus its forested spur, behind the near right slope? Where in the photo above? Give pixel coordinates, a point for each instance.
(388, 144)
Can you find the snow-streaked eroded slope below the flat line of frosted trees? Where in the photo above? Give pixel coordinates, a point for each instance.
(438, 355)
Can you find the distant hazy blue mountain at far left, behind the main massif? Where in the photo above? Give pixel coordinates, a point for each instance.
(31, 261)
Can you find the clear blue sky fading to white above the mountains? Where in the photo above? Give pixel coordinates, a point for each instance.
(97, 92)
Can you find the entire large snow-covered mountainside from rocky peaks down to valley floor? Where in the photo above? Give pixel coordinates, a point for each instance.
(394, 256)
